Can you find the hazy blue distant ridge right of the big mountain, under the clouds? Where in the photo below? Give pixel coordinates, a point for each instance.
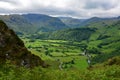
(76, 23)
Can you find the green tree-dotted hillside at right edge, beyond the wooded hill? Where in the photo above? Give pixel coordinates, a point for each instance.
(106, 40)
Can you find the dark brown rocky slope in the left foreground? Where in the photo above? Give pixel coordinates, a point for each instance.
(13, 49)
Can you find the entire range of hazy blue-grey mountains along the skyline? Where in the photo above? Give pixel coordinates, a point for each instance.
(37, 23)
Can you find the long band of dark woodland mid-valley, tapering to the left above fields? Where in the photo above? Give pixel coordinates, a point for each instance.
(77, 34)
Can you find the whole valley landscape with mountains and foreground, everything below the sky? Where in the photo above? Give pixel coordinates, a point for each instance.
(89, 50)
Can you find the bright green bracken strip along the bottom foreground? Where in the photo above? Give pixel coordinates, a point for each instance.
(10, 72)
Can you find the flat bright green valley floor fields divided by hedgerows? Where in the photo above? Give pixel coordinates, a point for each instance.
(53, 52)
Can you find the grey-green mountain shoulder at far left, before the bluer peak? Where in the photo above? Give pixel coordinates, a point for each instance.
(18, 23)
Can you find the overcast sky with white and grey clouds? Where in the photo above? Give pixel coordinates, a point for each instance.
(68, 8)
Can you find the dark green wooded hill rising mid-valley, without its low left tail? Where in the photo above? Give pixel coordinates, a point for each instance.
(77, 34)
